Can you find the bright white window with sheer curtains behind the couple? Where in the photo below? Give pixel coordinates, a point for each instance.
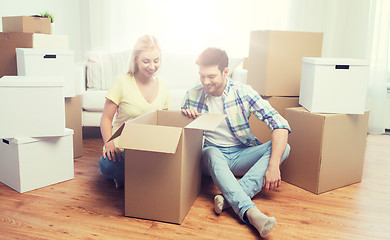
(184, 26)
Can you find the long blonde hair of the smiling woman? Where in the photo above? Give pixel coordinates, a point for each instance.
(145, 42)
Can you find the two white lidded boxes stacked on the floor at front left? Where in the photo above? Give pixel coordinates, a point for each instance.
(36, 148)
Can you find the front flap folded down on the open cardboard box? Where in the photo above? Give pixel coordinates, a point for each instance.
(152, 138)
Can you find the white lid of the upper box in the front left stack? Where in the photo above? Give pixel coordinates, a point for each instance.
(32, 81)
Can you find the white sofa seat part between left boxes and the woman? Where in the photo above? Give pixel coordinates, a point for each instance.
(93, 100)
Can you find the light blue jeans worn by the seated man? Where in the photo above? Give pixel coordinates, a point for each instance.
(224, 164)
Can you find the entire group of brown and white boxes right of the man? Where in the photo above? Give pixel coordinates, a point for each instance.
(329, 132)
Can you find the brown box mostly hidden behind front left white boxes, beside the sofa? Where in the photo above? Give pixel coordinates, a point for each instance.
(73, 121)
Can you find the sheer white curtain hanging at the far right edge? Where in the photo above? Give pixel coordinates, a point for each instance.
(379, 68)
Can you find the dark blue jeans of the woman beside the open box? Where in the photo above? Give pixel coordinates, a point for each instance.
(113, 170)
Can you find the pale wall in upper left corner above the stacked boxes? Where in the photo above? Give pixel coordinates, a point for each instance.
(66, 17)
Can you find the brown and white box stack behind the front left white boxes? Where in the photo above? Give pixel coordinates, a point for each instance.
(33, 36)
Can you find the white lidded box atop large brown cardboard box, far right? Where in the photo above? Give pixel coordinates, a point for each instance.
(329, 132)
